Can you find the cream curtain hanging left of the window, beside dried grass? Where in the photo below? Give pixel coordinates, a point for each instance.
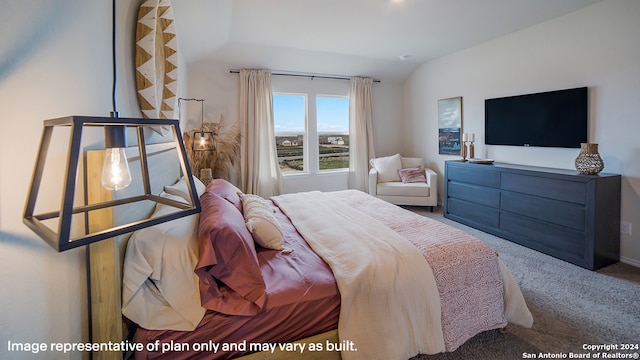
(259, 170)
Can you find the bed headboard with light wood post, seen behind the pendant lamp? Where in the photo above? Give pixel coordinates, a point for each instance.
(105, 258)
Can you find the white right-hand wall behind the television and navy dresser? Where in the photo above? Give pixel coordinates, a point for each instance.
(595, 47)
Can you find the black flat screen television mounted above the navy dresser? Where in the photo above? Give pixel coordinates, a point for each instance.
(548, 119)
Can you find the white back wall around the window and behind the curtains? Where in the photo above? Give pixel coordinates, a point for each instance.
(211, 80)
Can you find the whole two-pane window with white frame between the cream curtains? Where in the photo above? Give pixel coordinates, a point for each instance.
(305, 123)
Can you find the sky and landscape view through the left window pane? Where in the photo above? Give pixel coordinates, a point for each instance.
(289, 112)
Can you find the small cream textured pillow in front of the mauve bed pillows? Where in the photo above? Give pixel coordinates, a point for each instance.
(261, 222)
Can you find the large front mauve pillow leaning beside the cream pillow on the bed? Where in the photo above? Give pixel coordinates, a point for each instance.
(230, 278)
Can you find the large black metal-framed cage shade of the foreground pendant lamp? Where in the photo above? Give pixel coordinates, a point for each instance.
(72, 223)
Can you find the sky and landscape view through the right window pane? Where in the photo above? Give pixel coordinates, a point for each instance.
(332, 115)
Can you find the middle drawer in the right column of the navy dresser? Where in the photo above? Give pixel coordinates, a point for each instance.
(556, 212)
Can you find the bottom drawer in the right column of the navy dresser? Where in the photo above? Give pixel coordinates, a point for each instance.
(547, 235)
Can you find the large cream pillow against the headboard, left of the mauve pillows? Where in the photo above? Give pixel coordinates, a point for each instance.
(160, 290)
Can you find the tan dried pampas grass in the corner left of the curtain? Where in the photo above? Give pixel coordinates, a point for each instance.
(223, 161)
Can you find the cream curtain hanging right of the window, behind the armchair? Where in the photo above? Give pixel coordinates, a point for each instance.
(361, 131)
